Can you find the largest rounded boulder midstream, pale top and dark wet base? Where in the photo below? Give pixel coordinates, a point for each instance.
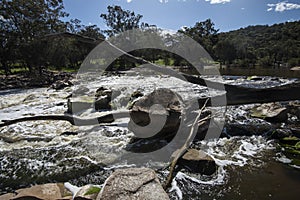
(157, 112)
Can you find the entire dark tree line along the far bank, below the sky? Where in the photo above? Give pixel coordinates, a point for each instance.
(31, 37)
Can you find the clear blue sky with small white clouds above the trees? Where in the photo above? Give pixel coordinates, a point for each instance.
(173, 14)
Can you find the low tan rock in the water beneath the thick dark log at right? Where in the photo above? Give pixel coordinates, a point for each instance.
(271, 112)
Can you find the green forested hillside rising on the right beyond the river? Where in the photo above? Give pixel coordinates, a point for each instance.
(266, 46)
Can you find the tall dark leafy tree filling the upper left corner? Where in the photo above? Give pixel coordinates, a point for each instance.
(27, 21)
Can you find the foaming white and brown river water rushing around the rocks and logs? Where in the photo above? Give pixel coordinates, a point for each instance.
(36, 152)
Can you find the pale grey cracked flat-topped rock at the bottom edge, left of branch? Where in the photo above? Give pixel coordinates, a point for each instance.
(133, 184)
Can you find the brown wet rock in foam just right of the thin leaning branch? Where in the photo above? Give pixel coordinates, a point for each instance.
(198, 161)
